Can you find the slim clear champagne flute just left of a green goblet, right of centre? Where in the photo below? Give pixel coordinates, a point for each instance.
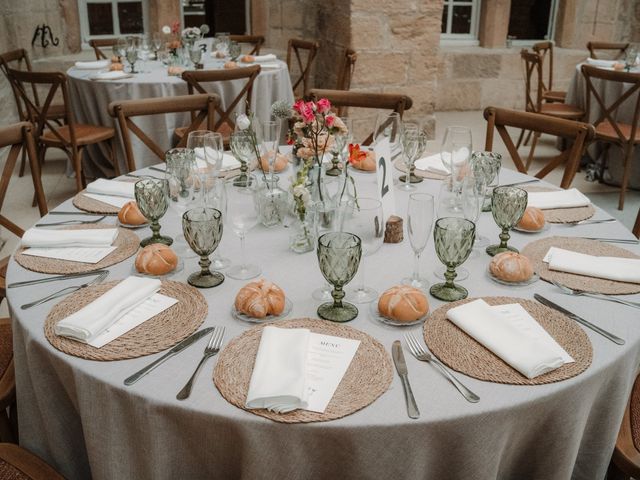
(419, 223)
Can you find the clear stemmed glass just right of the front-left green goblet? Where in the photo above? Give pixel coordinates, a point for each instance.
(242, 217)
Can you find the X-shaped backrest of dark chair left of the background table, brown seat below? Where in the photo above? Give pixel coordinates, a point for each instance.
(36, 113)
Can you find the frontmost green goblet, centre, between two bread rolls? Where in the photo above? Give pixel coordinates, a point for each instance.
(339, 256)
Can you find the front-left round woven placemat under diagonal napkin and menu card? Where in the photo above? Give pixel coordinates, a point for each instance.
(156, 334)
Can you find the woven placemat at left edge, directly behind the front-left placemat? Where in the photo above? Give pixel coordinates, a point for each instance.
(127, 244)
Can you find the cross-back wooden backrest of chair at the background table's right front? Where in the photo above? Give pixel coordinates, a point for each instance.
(196, 78)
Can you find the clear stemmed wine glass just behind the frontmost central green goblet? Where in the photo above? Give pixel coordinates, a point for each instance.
(367, 222)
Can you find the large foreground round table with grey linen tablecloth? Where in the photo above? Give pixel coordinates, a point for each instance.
(80, 417)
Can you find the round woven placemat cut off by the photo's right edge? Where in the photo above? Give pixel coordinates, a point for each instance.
(538, 249)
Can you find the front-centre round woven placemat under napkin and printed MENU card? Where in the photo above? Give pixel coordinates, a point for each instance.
(368, 376)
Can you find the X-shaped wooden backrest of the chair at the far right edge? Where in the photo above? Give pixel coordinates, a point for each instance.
(608, 109)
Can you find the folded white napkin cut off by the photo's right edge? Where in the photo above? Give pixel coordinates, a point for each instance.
(611, 268)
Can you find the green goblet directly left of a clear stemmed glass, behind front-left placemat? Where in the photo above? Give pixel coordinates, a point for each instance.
(203, 230)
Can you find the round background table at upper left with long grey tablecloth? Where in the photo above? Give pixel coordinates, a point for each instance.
(90, 99)
